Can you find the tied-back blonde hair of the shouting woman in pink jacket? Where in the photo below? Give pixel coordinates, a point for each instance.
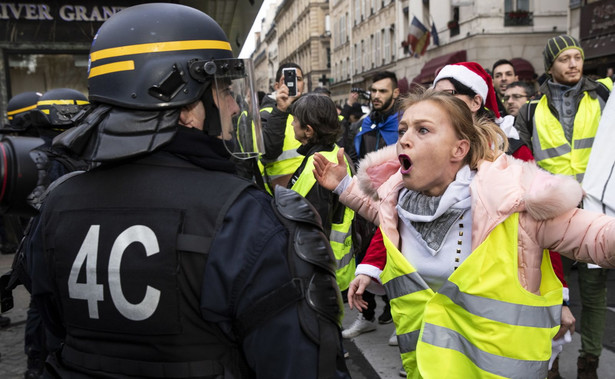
(487, 140)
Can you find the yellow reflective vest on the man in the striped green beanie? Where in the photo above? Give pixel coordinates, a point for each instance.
(552, 150)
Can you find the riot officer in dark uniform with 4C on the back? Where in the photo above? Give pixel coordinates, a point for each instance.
(160, 261)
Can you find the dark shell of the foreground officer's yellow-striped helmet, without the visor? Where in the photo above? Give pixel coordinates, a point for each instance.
(153, 56)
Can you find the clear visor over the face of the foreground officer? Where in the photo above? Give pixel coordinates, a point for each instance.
(238, 106)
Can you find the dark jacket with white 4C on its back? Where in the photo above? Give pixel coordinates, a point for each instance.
(169, 191)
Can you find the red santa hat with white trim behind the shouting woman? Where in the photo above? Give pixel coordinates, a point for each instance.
(474, 76)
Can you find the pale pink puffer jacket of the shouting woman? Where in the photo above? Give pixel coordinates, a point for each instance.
(547, 206)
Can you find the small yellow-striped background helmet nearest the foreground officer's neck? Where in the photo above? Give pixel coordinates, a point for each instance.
(57, 107)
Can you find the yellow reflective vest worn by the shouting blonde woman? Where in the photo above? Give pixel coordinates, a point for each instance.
(481, 320)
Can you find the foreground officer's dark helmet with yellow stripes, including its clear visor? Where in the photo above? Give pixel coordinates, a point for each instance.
(159, 56)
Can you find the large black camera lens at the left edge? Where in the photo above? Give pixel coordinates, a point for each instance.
(20, 164)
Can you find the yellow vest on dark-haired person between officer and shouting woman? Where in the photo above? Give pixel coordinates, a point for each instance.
(340, 237)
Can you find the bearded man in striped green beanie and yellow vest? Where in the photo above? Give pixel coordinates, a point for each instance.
(560, 128)
